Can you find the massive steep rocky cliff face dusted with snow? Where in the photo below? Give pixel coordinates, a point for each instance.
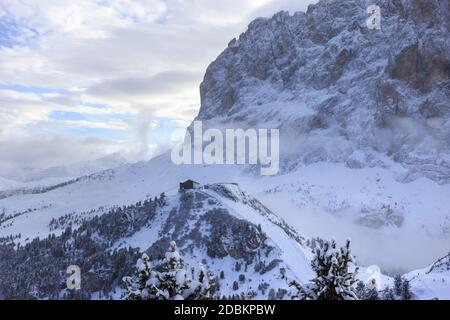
(340, 91)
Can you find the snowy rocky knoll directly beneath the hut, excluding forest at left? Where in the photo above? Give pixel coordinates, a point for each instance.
(212, 228)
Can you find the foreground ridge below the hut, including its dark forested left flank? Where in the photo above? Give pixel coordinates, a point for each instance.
(219, 225)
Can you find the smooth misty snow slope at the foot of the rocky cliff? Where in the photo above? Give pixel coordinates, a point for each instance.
(389, 221)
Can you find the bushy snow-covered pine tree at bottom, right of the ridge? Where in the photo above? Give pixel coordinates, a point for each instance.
(335, 279)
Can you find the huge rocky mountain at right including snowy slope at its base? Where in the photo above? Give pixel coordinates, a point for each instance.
(358, 111)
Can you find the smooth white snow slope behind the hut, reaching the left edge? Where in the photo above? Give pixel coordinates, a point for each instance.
(30, 212)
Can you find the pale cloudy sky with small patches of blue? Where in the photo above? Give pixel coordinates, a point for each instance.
(82, 79)
